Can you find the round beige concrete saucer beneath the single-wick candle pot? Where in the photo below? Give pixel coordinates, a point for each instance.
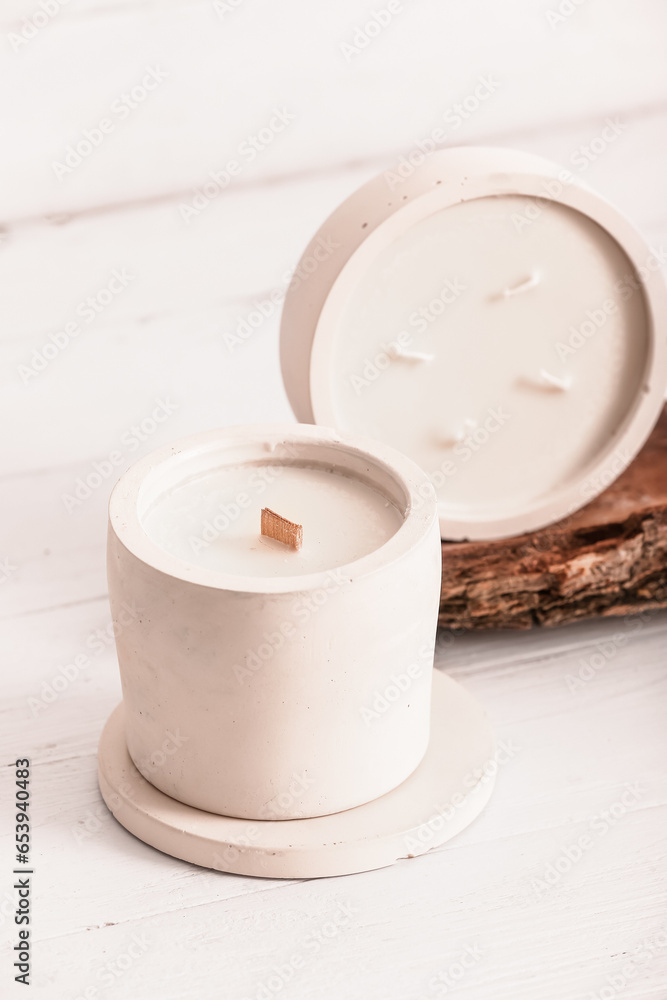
(447, 791)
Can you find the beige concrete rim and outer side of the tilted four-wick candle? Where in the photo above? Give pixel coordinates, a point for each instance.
(447, 178)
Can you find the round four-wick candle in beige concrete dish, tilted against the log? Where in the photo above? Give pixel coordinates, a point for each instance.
(496, 321)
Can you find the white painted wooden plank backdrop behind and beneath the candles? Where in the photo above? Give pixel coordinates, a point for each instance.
(583, 748)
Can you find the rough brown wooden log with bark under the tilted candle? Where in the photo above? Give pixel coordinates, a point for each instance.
(609, 558)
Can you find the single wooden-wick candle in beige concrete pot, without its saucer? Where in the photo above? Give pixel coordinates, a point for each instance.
(266, 659)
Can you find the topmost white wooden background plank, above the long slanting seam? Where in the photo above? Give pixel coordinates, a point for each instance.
(224, 83)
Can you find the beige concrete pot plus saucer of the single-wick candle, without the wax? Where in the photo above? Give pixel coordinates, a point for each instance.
(330, 756)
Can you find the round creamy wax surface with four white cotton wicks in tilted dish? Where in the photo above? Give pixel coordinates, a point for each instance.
(499, 343)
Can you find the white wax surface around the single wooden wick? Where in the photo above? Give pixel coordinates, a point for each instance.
(214, 521)
